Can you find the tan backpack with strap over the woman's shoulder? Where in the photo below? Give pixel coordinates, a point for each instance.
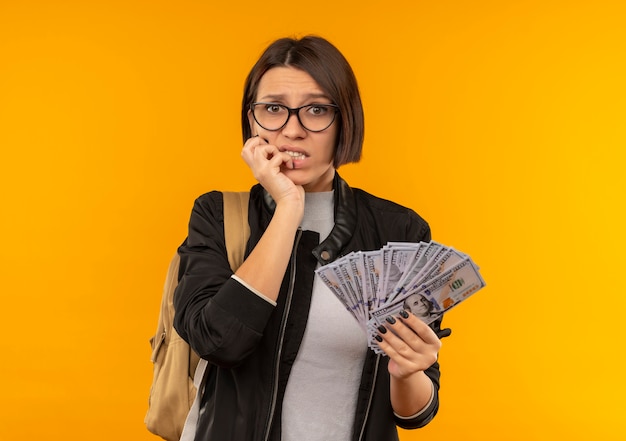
(174, 363)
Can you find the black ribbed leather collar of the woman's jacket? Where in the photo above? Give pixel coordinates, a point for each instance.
(345, 221)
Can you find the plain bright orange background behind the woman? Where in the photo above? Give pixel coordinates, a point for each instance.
(501, 122)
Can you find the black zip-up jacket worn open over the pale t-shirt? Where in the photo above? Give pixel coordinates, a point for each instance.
(251, 344)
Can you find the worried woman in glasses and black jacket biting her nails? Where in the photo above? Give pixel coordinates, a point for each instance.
(288, 361)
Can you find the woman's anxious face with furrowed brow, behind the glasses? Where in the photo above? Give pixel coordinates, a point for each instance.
(313, 152)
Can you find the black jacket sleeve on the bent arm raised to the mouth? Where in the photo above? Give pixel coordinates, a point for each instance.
(220, 318)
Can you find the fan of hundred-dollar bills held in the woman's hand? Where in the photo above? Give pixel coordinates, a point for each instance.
(425, 278)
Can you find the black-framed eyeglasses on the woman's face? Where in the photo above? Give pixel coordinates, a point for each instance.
(313, 117)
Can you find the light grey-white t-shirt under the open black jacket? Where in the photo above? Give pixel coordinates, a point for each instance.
(320, 398)
